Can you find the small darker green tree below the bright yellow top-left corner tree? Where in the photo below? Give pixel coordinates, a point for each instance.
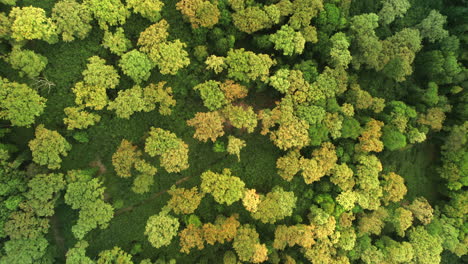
(27, 62)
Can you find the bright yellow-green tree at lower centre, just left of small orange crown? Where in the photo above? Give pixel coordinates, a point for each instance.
(224, 187)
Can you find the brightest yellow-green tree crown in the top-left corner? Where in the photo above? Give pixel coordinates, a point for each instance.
(30, 23)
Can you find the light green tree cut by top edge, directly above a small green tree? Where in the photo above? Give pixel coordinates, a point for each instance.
(108, 12)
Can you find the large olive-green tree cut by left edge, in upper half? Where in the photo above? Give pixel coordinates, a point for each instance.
(19, 104)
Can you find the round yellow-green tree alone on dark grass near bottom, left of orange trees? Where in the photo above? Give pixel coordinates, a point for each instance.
(160, 229)
